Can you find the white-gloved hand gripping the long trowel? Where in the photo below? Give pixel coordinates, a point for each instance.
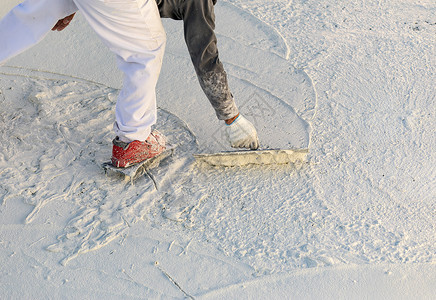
(242, 134)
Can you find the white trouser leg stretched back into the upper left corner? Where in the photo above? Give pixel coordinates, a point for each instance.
(27, 24)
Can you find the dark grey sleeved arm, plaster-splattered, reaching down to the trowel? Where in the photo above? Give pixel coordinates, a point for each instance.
(199, 24)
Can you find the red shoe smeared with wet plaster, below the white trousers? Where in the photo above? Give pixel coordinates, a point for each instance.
(138, 151)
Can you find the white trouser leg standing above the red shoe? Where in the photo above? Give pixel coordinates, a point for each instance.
(133, 30)
